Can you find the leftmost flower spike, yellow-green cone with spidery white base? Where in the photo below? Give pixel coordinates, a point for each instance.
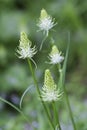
(24, 49)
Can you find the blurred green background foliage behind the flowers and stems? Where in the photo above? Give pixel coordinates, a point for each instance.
(15, 77)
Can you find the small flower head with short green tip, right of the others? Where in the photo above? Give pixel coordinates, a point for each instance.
(55, 56)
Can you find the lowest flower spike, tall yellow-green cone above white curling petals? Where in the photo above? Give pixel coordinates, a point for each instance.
(49, 90)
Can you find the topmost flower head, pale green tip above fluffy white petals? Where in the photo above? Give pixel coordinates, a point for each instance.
(45, 22)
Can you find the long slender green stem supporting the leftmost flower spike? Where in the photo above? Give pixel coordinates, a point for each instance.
(36, 84)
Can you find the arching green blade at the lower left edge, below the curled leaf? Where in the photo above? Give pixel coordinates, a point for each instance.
(16, 108)
